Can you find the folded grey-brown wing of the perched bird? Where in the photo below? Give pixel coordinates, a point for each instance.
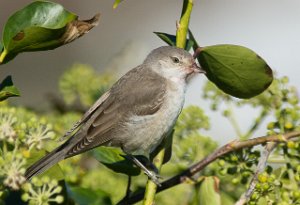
(136, 93)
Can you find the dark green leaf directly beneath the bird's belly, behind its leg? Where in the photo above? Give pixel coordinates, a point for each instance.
(112, 158)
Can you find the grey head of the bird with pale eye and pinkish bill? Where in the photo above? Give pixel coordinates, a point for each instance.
(172, 62)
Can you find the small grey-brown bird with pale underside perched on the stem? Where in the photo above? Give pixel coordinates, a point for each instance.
(136, 114)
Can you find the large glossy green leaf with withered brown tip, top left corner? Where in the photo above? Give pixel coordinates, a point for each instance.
(40, 26)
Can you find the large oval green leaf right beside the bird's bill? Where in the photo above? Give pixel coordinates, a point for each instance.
(236, 70)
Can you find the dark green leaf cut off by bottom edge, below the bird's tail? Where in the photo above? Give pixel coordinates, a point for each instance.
(84, 196)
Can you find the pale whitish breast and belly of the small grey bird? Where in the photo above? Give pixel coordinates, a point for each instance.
(148, 131)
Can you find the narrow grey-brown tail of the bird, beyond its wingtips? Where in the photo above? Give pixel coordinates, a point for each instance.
(45, 163)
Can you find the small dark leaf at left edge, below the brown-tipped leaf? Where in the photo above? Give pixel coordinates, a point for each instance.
(7, 89)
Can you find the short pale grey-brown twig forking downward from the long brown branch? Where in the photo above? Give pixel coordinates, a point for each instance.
(260, 168)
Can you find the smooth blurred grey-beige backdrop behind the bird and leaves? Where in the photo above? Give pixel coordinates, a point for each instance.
(125, 36)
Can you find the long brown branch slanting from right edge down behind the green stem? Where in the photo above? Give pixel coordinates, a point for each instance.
(230, 147)
